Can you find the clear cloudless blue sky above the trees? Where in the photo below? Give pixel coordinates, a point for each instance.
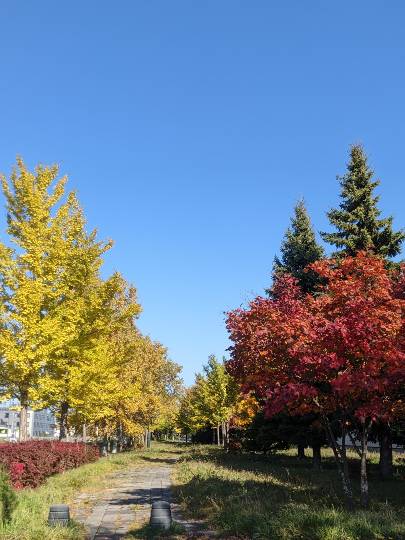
(190, 129)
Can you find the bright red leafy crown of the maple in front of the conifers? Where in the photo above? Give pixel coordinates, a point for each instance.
(342, 349)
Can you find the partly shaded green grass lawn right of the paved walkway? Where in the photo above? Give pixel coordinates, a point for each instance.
(280, 497)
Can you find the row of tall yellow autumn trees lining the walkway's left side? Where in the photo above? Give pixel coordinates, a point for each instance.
(68, 338)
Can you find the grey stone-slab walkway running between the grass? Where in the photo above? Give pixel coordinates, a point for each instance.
(125, 506)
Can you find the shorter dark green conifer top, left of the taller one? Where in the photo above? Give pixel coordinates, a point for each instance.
(298, 250)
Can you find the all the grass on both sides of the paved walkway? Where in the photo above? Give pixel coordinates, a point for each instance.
(248, 496)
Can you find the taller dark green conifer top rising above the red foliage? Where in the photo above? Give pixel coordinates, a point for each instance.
(357, 218)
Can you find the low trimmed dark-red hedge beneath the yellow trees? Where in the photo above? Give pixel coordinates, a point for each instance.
(30, 463)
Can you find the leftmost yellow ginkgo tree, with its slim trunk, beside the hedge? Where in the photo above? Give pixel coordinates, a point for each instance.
(35, 326)
